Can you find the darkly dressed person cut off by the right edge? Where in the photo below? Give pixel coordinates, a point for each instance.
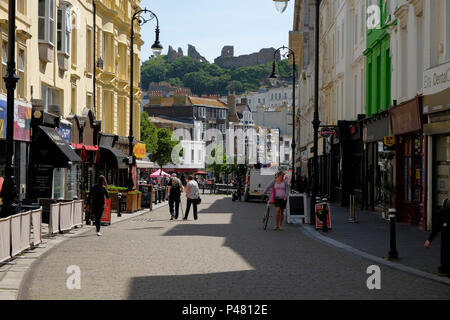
(441, 225)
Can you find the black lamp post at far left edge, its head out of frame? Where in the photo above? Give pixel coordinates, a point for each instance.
(9, 192)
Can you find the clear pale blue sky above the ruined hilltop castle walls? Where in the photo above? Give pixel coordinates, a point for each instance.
(209, 25)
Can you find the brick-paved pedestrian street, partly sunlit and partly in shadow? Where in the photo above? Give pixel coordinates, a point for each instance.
(225, 254)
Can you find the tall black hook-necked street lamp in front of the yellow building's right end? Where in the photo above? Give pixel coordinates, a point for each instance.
(157, 49)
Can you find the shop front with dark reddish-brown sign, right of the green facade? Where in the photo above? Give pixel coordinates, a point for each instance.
(410, 145)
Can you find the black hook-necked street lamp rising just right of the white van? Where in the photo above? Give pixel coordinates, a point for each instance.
(273, 80)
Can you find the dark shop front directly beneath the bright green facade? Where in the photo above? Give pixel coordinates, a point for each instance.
(375, 129)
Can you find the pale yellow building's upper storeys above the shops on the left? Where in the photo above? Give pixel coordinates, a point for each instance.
(55, 58)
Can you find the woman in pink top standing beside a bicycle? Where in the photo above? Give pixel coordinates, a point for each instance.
(280, 191)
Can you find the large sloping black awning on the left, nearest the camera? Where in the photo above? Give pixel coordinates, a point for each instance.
(50, 148)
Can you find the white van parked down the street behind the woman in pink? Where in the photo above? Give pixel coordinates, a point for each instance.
(257, 181)
